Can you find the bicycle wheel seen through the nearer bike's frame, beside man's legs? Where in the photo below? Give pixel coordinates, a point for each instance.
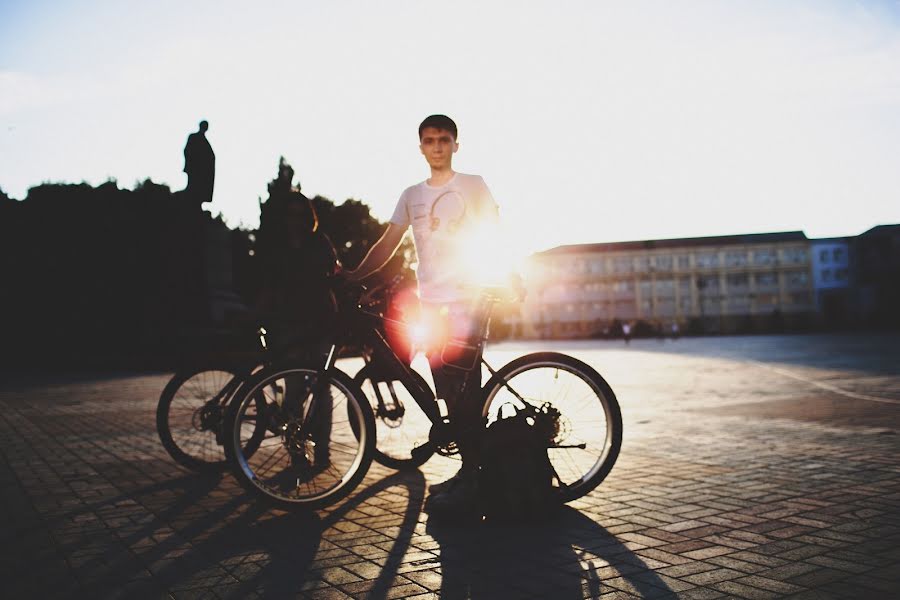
(393, 447)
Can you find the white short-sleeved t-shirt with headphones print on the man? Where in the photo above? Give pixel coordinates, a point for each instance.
(440, 218)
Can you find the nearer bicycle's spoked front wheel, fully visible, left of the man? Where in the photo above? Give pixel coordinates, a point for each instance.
(312, 439)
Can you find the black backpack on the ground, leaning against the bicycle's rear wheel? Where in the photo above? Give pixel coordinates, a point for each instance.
(516, 477)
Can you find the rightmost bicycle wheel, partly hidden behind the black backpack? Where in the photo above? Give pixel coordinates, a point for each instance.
(589, 432)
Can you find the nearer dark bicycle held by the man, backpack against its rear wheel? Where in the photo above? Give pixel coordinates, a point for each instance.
(309, 455)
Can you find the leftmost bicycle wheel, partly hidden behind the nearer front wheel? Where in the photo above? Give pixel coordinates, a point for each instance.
(189, 389)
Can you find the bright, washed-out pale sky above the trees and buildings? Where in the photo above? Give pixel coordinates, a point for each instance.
(590, 121)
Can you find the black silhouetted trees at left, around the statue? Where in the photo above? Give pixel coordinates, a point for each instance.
(107, 276)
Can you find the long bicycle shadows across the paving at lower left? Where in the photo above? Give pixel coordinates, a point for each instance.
(240, 548)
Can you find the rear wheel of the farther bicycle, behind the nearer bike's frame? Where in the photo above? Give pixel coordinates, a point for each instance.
(400, 424)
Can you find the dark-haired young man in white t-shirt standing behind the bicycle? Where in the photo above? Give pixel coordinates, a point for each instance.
(441, 210)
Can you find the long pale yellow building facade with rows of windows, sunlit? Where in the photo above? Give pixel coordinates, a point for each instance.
(755, 282)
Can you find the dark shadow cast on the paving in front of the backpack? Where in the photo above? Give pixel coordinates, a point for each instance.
(566, 555)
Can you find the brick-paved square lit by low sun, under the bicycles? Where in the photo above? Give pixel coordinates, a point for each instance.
(752, 468)
